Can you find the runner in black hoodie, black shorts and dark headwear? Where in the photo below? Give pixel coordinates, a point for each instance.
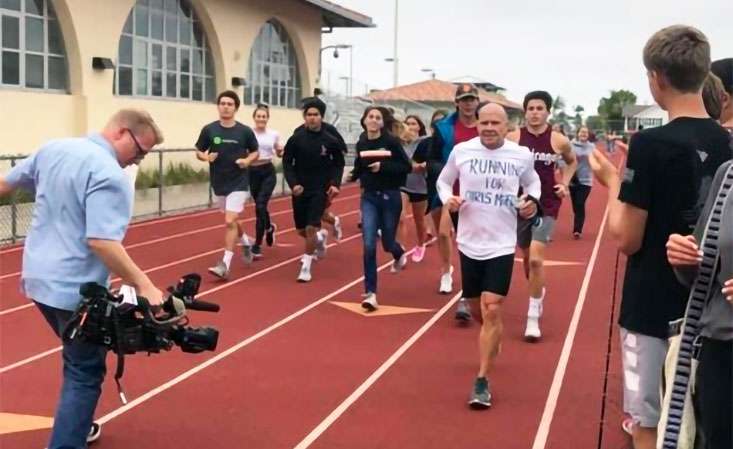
(313, 165)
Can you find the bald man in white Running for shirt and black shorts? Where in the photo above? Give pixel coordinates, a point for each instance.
(490, 171)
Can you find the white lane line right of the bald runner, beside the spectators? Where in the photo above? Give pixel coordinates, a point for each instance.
(543, 430)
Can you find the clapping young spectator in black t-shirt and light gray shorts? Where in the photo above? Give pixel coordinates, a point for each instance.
(668, 173)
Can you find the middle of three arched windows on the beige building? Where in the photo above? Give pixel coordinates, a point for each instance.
(164, 53)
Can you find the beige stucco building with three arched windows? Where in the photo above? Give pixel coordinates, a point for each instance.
(170, 57)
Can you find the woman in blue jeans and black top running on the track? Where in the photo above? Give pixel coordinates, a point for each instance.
(381, 166)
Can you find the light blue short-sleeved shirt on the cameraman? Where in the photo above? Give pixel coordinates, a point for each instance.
(81, 193)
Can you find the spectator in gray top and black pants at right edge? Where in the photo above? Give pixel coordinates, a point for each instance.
(714, 377)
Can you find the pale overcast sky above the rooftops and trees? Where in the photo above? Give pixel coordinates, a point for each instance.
(577, 49)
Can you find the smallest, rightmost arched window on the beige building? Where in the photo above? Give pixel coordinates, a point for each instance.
(273, 69)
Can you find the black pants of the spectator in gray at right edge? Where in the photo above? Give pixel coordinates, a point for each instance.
(714, 394)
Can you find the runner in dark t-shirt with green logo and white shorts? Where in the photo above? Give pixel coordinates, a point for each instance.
(229, 147)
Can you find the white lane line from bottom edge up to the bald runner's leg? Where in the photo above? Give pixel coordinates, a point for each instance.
(353, 397)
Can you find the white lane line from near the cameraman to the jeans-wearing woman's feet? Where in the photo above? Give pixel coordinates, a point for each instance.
(221, 356)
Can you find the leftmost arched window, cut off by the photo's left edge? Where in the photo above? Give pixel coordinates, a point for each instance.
(31, 46)
